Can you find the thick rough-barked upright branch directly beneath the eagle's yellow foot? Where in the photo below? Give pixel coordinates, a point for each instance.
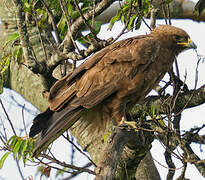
(123, 153)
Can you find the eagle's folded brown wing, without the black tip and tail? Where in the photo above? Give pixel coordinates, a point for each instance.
(99, 76)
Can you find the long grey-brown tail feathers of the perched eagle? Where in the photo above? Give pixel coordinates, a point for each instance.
(56, 125)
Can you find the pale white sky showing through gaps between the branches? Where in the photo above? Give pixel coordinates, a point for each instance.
(191, 117)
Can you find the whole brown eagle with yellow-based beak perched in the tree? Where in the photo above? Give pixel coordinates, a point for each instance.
(110, 82)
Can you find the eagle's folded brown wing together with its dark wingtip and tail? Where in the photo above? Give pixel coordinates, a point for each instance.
(103, 75)
